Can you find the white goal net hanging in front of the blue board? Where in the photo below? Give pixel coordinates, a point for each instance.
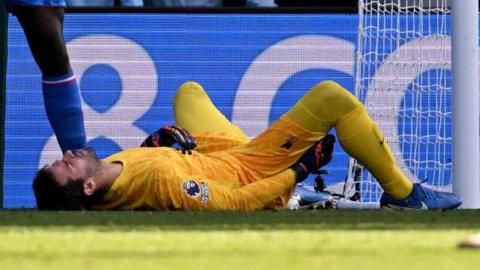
(403, 79)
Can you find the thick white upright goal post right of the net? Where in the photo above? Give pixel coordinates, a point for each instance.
(466, 173)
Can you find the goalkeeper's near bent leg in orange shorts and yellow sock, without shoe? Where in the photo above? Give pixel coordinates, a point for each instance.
(325, 106)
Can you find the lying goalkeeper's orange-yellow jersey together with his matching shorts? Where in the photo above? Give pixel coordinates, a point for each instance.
(247, 177)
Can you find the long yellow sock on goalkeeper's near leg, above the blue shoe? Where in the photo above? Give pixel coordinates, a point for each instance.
(327, 105)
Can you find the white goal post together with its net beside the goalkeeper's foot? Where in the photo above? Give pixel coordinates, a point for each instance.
(427, 108)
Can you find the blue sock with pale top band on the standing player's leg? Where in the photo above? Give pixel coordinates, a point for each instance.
(64, 111)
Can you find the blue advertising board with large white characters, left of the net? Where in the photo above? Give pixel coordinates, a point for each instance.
(128, 66)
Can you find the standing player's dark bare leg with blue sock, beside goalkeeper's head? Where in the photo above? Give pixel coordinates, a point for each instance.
(43, 27)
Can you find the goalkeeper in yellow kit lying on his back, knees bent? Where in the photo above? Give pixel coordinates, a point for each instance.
(226, 172)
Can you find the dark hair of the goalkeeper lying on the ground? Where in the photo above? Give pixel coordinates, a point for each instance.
(50, 195)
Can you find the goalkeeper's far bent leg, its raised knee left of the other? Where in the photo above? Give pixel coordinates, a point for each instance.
(195, 112)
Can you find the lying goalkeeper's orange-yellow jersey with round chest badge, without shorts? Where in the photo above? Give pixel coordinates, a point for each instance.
(165, 179)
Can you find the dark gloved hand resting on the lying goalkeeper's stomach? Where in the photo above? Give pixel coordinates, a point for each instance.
(168, 136)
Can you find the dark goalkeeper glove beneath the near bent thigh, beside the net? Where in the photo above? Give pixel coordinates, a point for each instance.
(317, 156)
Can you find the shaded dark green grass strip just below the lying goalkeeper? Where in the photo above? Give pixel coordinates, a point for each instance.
(260, 220)
